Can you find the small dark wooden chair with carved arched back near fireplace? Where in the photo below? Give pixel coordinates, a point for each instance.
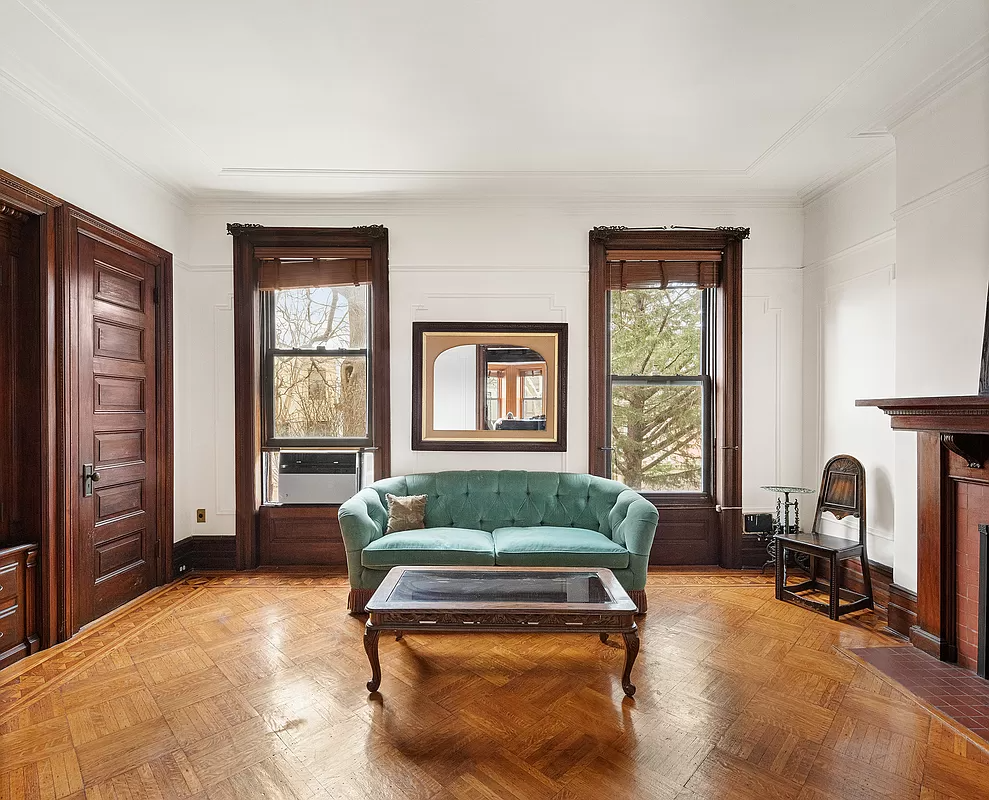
(843, 495)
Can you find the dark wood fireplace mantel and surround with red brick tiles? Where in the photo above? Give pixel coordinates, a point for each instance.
(952, 502)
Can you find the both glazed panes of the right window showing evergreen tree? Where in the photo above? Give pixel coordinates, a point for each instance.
(659, 378)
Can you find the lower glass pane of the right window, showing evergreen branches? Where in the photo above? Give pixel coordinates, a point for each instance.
(657, 439)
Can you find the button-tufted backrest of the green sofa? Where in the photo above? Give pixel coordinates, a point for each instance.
(489, 499)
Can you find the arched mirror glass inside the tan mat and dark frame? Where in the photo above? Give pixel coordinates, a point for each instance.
(497, 387)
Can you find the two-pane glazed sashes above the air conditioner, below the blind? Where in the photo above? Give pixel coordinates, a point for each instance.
(317, 377)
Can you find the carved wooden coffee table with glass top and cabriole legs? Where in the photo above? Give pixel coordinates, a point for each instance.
(504, 600)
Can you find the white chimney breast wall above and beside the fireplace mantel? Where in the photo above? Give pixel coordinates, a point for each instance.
(942, 269)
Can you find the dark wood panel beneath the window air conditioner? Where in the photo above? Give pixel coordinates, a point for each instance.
(309, 535)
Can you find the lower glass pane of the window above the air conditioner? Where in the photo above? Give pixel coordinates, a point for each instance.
(320, 396)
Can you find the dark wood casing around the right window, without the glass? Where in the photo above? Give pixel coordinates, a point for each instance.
(721, 503)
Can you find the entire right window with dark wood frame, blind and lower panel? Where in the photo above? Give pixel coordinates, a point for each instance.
(664, 405)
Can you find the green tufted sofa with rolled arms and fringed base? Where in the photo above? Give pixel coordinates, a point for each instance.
(506, 518)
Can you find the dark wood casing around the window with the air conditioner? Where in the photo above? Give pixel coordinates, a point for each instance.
(248, 353)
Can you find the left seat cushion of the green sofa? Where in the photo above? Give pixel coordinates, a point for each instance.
(433, 547)
